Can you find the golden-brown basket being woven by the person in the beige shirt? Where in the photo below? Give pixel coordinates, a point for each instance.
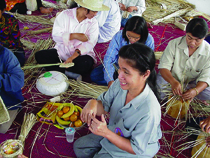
(179, 108)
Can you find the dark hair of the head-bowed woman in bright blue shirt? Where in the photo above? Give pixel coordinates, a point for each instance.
(138, 25)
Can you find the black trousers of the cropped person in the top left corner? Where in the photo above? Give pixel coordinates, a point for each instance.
(22, 9)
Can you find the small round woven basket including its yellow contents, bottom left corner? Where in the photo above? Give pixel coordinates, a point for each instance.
(11, 148)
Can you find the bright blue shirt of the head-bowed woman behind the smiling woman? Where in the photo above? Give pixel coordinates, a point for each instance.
(111, 56)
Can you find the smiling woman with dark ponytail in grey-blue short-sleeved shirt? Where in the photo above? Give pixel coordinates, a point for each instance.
(135, 113)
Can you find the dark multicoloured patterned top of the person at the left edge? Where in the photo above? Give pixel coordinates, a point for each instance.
(9, 32)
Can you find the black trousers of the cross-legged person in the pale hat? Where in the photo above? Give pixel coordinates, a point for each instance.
(82, 64)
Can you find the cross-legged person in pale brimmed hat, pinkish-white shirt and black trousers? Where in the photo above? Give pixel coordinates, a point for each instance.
(75, 32)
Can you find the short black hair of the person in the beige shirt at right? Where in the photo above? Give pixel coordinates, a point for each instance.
(197, 27)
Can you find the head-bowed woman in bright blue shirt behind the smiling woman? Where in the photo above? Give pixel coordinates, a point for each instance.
(135, 31)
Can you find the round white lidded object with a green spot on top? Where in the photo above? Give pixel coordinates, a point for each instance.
(52, 83)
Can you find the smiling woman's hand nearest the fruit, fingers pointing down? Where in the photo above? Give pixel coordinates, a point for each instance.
(90, 110)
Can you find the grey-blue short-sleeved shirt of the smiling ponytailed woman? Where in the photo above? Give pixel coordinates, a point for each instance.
(138, 121)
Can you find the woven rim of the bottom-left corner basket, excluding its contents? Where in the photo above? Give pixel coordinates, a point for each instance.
(9, 142)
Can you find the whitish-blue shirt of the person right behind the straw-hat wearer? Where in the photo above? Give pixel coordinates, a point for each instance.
(109, 21)
